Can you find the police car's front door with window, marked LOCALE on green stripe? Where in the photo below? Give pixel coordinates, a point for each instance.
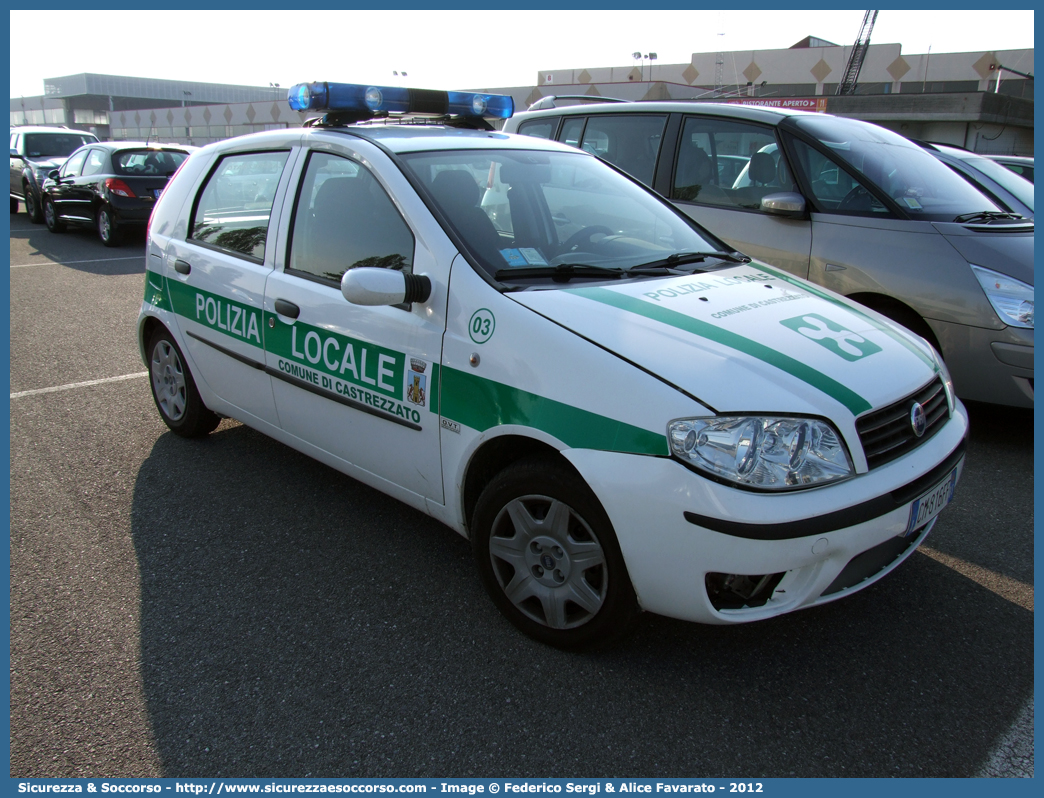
(359, 383)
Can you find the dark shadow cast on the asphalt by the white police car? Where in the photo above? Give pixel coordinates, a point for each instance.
(297, 623)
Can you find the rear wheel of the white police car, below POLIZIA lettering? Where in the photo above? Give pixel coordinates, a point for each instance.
(175, 391)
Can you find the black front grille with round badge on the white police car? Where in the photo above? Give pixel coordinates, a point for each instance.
(888, 434)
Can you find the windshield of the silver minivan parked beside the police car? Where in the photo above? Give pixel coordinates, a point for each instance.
(920, 184)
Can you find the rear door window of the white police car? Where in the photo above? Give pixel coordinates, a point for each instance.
(233, 210)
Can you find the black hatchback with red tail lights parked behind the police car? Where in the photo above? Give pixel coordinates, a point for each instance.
(111, 186)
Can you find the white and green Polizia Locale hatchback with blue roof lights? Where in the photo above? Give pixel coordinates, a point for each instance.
(622, 413)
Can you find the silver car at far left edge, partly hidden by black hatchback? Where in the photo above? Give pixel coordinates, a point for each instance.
(35, 152)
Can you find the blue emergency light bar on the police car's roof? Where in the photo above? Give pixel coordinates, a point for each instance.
(395, 100)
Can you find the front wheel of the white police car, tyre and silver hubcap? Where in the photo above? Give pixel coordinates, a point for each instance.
(550, 559)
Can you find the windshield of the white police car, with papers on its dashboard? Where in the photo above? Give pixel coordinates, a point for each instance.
(520, 209)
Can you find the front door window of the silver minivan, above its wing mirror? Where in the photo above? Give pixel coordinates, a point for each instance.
(727, 163)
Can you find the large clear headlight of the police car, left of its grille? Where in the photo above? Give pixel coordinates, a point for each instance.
(763, 453)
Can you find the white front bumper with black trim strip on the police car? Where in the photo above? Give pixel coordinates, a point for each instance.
(848, 546)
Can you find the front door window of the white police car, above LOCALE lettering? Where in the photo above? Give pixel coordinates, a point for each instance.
(345, 220)
